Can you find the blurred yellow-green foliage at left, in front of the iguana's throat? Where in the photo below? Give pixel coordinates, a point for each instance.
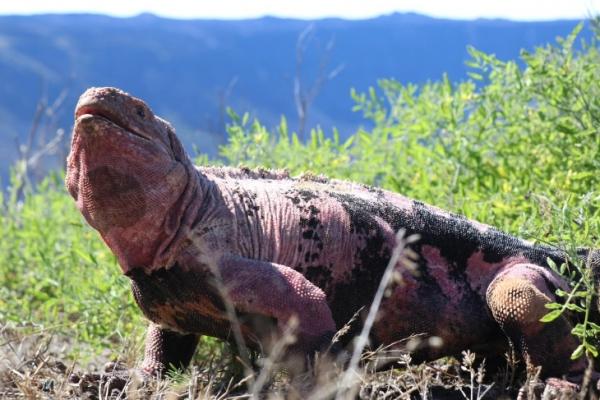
(55, 272)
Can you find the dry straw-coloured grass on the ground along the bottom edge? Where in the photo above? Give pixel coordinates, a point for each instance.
(35, 366)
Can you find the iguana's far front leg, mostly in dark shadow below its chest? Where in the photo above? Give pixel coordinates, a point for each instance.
(165, 349)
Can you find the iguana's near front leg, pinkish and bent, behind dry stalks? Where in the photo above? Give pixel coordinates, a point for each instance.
(279, 292)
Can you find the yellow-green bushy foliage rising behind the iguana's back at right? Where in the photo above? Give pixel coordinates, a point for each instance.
(512, 146)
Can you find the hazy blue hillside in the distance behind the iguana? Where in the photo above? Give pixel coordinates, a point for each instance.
(186, 69)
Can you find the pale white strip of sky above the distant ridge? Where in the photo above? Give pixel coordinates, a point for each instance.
(234, 9)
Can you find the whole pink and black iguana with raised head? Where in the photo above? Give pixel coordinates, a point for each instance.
(307, 247)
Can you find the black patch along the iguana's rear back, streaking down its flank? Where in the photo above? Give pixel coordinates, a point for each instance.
(455, 237)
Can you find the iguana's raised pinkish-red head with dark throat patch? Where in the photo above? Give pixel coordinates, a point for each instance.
(130, 178)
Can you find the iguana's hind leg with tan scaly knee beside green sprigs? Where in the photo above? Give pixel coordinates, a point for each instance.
(517, 299)
